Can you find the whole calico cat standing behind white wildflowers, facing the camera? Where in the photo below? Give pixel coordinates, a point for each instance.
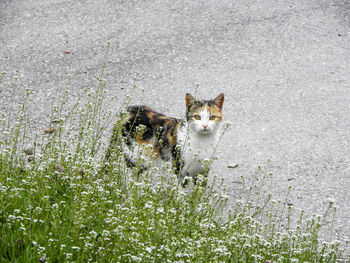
(188, 143)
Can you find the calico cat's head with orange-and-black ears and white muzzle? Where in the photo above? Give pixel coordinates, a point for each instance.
(204, 116)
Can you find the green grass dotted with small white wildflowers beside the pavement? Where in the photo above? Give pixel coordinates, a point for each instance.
(59, 207)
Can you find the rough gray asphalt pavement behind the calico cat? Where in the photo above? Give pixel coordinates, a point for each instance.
(284, 67)
